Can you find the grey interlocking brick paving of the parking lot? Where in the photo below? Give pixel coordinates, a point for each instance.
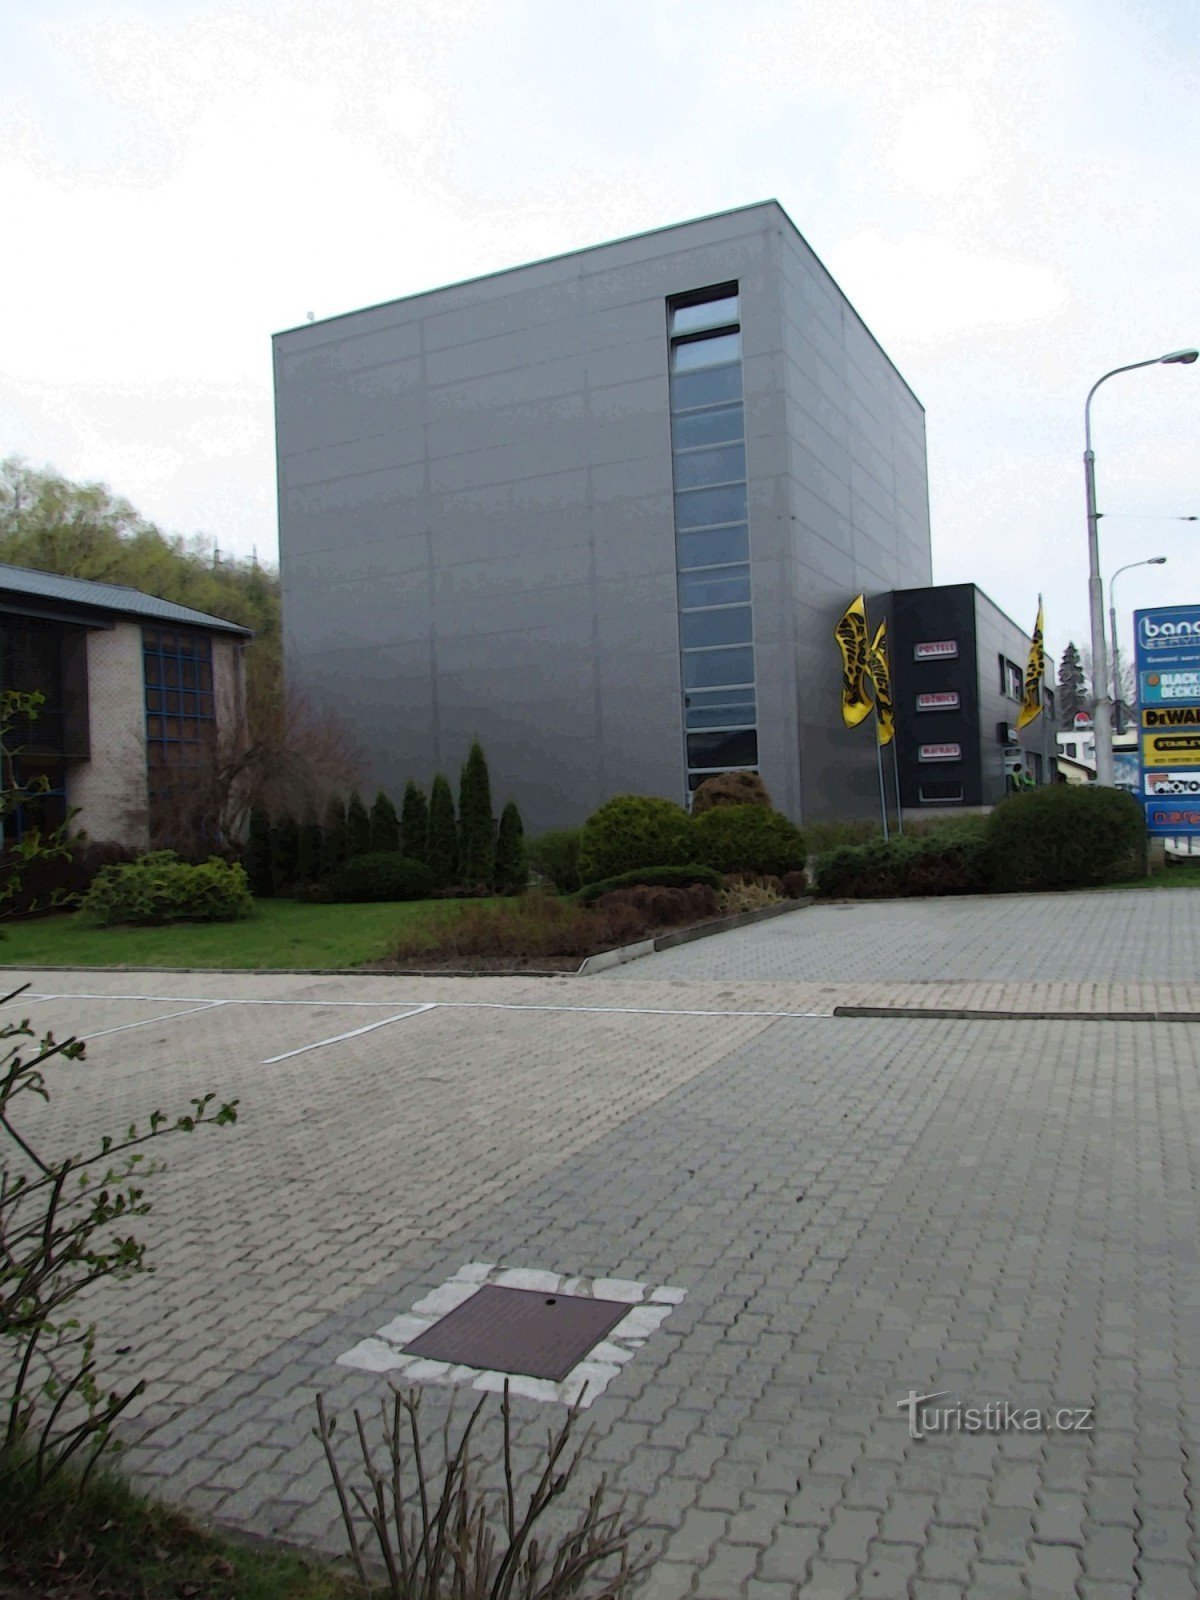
(857, 1209)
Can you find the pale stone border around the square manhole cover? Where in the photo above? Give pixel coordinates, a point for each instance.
(649, 1310)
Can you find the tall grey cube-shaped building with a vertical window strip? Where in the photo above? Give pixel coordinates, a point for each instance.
(602, 513)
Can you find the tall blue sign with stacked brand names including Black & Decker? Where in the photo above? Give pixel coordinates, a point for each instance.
(1167, 657)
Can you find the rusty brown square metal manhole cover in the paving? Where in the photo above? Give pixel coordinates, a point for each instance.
(526, 1332)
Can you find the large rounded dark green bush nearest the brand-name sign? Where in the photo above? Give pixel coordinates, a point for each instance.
(1065, 838)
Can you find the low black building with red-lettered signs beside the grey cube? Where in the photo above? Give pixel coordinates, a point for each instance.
(959, 668)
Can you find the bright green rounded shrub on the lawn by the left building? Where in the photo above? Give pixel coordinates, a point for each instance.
(161, 889)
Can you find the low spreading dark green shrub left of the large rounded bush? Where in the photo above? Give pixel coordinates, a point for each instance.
(946, 863)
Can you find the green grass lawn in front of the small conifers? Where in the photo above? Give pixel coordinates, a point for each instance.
(281, 934)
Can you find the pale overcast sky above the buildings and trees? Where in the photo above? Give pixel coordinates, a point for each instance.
(1007, 193)
